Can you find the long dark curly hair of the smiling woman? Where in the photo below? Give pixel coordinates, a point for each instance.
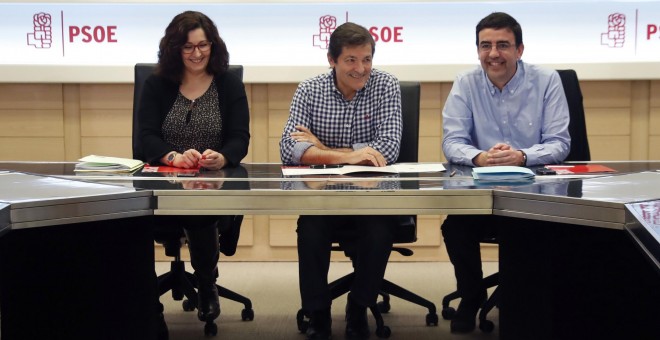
(170, 63)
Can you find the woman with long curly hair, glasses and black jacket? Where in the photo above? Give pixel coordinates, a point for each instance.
(193, 113)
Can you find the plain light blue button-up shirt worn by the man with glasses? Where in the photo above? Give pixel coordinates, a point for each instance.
(530, 114)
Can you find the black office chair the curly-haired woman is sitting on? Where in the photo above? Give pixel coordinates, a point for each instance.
(182, 283)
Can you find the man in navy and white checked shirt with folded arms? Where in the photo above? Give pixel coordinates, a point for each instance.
(351, 115)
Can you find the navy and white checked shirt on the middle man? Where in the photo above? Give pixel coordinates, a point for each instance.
(372, 118)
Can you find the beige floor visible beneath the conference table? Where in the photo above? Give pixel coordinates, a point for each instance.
(273, 289)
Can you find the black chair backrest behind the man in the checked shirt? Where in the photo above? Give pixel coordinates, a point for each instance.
(409, 150)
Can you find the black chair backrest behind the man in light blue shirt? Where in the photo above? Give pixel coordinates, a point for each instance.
(577, 126)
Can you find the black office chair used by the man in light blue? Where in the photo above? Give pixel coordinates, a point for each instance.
(577, 129)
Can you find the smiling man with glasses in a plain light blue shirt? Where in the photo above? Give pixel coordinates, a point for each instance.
(505, 112)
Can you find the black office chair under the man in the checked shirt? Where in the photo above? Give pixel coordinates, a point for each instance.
(406, 233)
